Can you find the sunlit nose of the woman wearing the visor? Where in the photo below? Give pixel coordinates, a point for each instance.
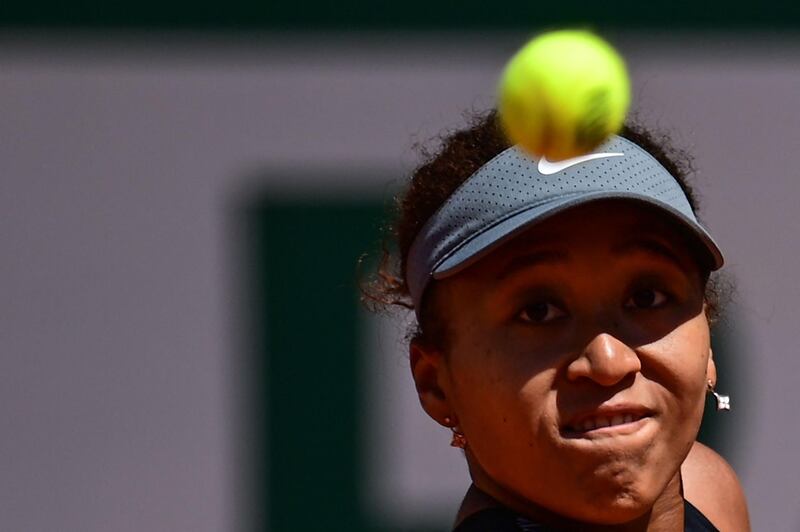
(605, 360)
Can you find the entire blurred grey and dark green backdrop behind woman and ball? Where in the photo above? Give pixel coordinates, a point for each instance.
(185, 191)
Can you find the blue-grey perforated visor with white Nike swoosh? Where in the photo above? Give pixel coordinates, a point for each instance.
(513, 191)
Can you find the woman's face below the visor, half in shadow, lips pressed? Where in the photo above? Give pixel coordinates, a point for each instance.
(576, 361)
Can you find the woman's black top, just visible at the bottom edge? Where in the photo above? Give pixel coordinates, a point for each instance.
(503, 520)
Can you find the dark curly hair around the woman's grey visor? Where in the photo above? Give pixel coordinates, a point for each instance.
(457, 156)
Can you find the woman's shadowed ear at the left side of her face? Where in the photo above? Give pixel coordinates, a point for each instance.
(429, 372)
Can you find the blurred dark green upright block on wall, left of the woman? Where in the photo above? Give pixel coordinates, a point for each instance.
(311, 381)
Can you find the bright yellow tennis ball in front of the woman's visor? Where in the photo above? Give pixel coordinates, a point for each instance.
(563, 94)
